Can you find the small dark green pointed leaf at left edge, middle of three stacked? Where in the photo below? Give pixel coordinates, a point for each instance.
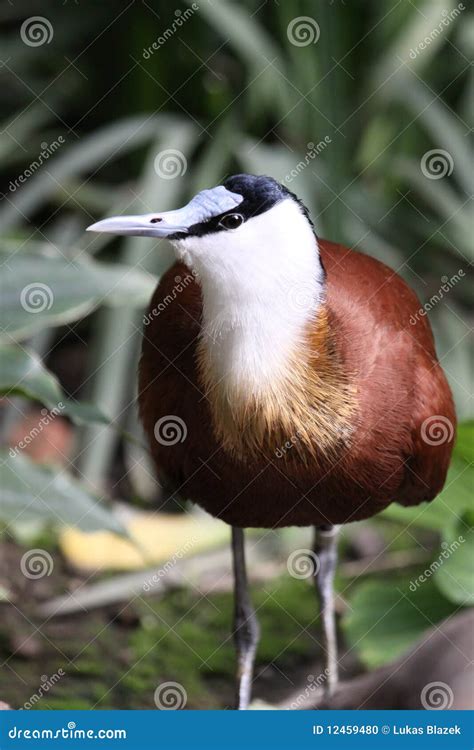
(23, 374)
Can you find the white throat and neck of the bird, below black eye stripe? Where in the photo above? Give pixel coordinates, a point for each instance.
(261, 284)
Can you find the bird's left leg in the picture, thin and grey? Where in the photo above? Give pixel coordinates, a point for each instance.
(246, 628)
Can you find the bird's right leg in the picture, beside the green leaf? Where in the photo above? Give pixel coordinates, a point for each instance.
(325, 549)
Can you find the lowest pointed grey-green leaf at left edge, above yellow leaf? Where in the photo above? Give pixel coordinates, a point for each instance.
(33, 492)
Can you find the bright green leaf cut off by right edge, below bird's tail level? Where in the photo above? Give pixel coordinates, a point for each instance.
(455, 577)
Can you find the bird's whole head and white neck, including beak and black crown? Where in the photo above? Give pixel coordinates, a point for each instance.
(251, 247)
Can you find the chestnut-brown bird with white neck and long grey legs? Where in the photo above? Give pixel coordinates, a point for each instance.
(285, 380)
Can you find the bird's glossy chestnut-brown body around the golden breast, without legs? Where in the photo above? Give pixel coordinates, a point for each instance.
(401, 431)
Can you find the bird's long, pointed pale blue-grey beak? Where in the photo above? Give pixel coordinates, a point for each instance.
(147, 225)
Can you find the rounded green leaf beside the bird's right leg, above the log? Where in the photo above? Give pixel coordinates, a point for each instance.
(385, 620)
